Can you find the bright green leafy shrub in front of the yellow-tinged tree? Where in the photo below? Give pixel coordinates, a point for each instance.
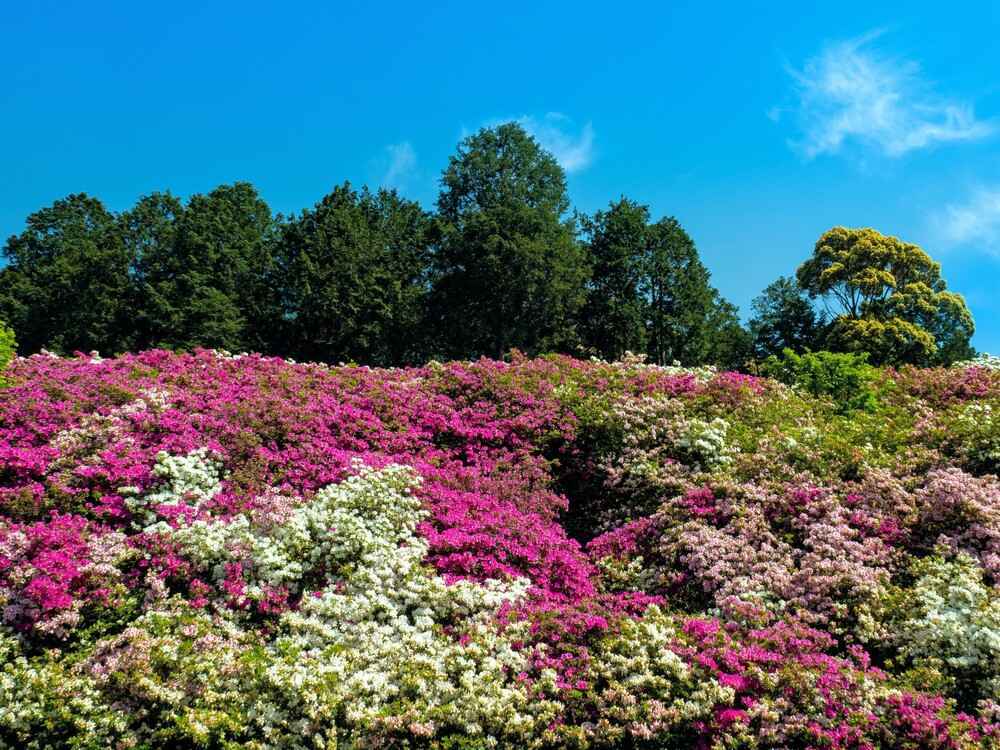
(846, 378)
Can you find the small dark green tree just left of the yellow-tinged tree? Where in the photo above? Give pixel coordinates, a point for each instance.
(783, 318)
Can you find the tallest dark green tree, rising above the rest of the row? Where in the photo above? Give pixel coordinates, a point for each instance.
(509, 272)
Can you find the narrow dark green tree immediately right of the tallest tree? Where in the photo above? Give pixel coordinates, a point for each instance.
(613, 318)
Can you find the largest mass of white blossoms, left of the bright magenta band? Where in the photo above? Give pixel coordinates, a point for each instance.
(372, 643)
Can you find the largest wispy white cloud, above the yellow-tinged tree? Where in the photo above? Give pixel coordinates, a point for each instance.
(852, 93)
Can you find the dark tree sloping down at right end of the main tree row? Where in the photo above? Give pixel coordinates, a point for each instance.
(685, 314)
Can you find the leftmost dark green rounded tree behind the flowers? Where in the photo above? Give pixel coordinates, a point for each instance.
(66, 285)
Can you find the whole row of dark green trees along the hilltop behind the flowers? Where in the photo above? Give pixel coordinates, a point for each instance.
(375, 278)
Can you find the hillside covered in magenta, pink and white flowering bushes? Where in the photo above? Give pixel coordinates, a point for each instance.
(213, 551)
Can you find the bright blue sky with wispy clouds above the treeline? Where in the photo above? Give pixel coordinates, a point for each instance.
(758, 125)
